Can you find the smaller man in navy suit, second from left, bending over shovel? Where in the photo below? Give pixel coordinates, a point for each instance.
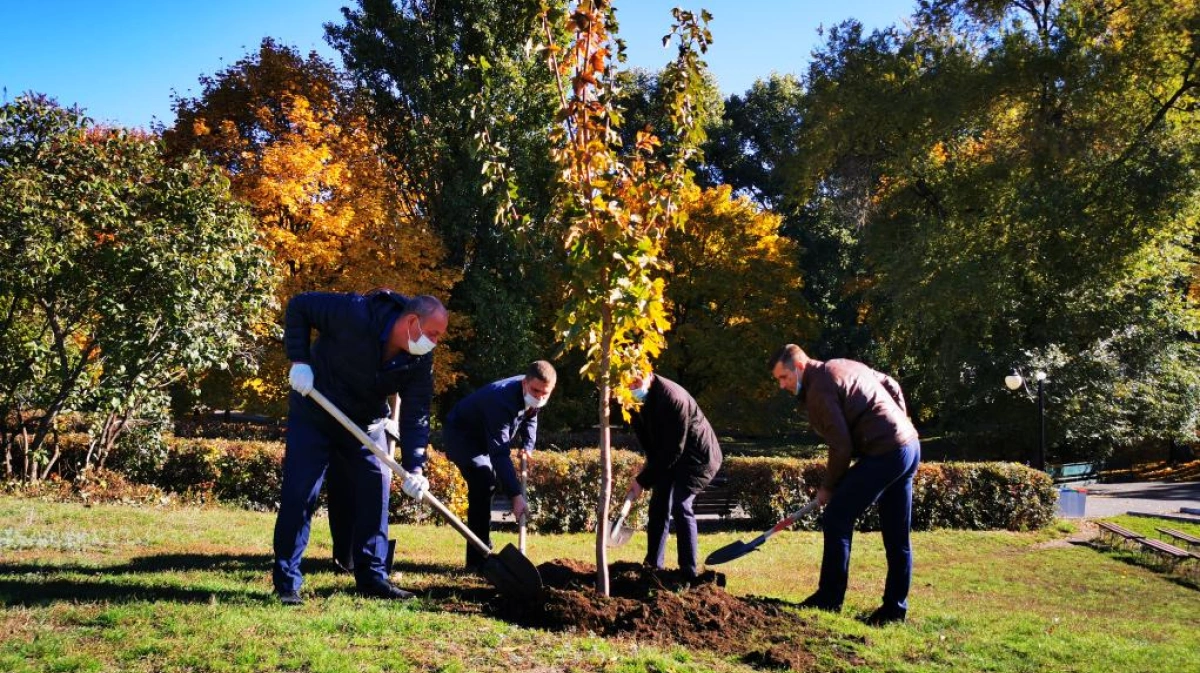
(478, 435)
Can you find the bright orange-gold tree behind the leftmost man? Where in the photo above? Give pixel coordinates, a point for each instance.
(298, 146)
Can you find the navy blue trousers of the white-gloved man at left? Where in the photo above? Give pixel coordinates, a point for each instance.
(314, 443)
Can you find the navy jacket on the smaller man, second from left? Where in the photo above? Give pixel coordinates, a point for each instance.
(490, 422)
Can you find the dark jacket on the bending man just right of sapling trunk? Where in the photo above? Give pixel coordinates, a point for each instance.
(676, 437)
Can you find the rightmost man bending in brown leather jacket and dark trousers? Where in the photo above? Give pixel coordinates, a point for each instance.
(861, 414)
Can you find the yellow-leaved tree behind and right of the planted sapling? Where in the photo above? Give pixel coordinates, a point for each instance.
(735, 297)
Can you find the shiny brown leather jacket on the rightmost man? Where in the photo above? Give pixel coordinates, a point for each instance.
(857, 411)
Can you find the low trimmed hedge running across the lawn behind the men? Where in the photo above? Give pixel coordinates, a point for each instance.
(562, 488)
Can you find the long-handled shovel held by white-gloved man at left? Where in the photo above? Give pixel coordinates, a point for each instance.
(509, 570)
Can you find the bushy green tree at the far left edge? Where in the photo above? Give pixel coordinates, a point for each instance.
(123, 273)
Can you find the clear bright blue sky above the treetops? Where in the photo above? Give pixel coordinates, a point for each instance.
(121, 61)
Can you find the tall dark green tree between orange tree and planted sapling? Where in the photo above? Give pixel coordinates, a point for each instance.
(465, 113)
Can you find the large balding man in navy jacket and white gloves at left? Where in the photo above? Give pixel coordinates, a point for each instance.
(369, 347)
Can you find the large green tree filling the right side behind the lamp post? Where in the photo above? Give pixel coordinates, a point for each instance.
(1030, 195)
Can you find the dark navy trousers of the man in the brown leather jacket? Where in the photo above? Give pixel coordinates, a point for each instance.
(886, 479)
